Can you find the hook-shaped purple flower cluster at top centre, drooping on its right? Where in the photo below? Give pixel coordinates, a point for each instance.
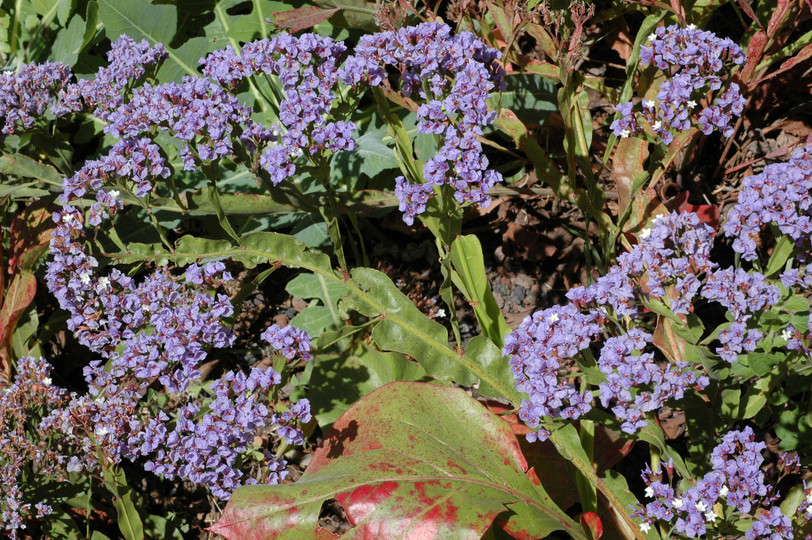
(453, 76)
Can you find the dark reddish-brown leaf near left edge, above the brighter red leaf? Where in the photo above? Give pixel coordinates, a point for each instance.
(30, 234)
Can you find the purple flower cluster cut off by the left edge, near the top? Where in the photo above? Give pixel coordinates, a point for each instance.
(27, 94)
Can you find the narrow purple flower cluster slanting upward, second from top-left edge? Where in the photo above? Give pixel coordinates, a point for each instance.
(104, 94)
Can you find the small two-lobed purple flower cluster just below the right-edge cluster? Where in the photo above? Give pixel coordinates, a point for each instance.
(742, 293)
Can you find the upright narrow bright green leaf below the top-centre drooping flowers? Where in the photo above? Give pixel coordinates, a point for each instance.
(470, 278)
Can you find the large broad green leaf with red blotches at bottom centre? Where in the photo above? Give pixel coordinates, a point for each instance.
(409, 460)
